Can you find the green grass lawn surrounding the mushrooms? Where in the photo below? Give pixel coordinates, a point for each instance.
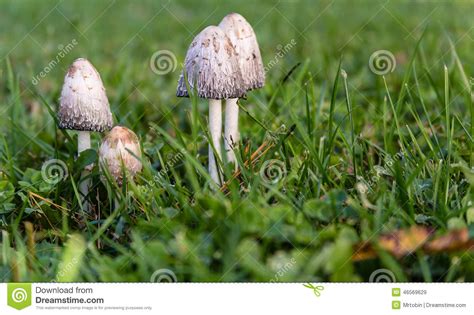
(334, 124)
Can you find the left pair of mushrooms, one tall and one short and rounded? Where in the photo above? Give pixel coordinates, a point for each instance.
(84, 107)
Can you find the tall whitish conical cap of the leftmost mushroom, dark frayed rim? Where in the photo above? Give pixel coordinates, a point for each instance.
(83, 103)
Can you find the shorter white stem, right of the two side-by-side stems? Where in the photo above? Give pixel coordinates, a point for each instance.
(231, 129)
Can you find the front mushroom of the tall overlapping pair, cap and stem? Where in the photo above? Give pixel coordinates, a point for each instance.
(212, 70)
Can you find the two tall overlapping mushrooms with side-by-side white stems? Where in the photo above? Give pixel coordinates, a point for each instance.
(223, 63)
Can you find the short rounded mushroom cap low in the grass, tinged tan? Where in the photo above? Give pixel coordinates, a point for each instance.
(113, 153)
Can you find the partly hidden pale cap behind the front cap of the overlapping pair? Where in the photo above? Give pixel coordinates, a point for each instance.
(245, 43)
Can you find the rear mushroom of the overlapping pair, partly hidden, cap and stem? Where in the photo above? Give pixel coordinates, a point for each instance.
(245, 44)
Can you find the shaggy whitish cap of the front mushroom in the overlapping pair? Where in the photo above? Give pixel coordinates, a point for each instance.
(211, 67)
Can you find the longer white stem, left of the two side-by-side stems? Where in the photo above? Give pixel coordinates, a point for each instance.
(215, 128)
